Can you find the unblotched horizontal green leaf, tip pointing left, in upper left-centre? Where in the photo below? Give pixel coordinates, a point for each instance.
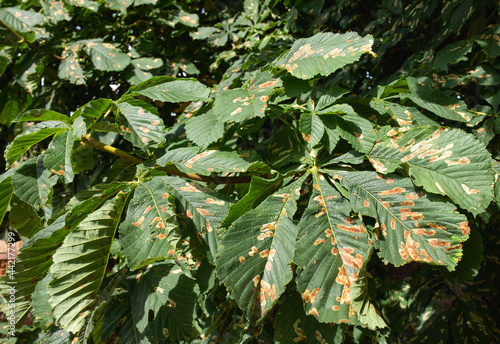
(170, 89)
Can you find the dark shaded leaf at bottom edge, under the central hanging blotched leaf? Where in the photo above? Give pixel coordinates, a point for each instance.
(294, 326)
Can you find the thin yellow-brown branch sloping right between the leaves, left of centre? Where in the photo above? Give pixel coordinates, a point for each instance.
(169, 169)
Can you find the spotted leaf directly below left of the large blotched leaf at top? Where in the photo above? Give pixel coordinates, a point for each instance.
(241, 104)
